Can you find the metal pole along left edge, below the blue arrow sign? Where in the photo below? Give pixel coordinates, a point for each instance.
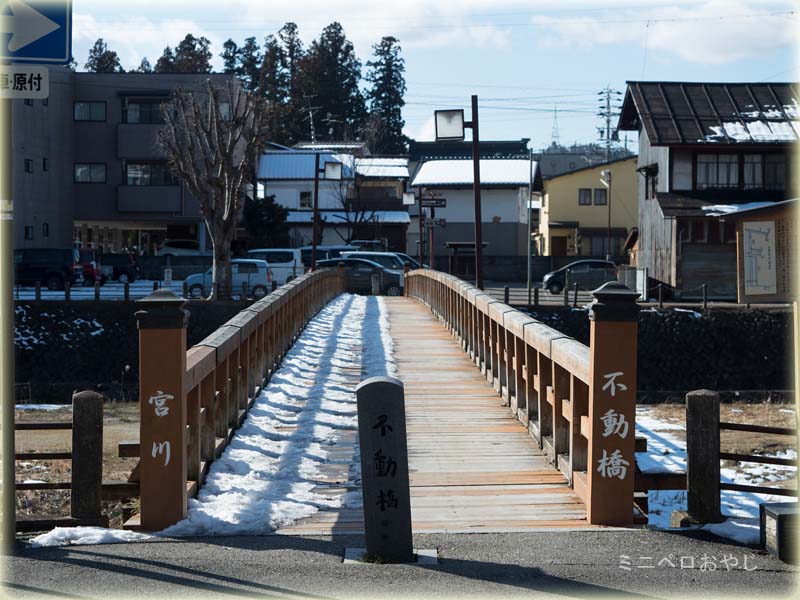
(7, 326)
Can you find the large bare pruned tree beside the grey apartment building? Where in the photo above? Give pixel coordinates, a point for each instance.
(211, 138)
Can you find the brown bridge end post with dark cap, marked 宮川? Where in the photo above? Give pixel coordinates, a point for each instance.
(162, 400)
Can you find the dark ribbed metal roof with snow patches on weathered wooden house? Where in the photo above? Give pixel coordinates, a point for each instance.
(712, 113)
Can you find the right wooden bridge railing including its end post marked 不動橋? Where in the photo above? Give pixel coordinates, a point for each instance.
(578, 402)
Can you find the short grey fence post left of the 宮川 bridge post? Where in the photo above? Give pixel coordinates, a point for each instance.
(87, 458)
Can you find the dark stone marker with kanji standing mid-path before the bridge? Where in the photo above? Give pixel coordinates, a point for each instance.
(384, 469)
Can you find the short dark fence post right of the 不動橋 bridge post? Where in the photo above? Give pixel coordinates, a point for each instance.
(702, 456)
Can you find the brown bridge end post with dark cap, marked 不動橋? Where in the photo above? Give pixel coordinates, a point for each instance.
(612, 405)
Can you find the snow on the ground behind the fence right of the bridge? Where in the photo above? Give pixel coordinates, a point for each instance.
(667, 453)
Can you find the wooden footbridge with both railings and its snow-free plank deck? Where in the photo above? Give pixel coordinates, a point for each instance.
(512, 426)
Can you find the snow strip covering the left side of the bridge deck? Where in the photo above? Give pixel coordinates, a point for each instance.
(265, 478)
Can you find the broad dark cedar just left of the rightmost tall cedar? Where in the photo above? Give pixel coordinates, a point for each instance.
(330, 74)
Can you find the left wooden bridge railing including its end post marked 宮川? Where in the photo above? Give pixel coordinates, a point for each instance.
(192, 401)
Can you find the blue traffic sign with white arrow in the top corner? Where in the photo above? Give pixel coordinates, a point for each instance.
(36, 31)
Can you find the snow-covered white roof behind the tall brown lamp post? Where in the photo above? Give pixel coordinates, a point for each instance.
(512, 172)
